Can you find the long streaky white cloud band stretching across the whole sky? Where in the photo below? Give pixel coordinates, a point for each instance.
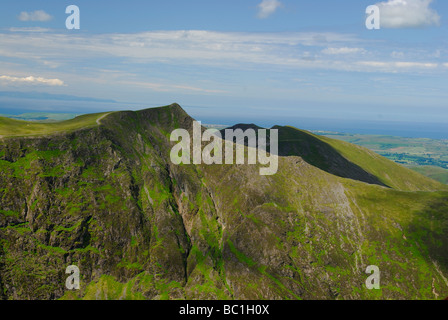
(234, 50)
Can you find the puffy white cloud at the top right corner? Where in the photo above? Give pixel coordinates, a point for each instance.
(407, 14)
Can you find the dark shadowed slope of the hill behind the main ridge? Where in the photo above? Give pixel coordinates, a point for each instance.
(294, 142)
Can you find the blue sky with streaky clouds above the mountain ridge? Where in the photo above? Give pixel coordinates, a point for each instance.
(269, 60)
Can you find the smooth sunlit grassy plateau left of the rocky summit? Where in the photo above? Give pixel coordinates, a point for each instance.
(11, 127)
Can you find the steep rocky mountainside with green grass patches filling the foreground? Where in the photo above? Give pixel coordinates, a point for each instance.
(108, 199)
